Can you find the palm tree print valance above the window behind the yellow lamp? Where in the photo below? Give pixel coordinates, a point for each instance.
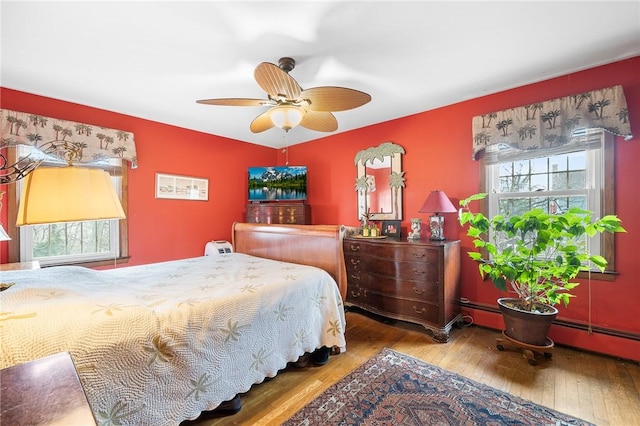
(66, 140)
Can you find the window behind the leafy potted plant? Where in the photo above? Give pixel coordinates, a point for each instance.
(567, 176)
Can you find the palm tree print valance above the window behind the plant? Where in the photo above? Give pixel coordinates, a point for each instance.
(552, 123)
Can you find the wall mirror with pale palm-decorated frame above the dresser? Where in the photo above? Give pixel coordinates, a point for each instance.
(379, 182)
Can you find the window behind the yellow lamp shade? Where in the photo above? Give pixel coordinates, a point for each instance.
(76, 242)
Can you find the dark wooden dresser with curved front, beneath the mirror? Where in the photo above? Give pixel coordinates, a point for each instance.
(415, 281)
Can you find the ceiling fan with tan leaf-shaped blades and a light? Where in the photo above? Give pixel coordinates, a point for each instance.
(290, 104)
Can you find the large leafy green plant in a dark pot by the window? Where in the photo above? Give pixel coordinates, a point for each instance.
(538, 255)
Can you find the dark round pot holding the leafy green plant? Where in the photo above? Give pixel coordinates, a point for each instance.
(524, 326)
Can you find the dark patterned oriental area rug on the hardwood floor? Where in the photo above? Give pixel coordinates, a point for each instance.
(395, 389)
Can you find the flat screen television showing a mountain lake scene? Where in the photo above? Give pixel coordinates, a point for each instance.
(278, 183)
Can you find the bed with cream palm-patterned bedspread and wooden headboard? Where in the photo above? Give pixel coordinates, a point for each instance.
(158, 344)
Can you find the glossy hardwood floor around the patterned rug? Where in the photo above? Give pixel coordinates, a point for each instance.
(595, 388)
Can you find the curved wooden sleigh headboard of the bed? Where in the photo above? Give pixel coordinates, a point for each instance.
(315, 245)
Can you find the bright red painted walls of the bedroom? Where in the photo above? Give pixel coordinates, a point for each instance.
(438, 156)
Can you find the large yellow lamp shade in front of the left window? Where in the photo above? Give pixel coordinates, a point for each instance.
(67, 194)
